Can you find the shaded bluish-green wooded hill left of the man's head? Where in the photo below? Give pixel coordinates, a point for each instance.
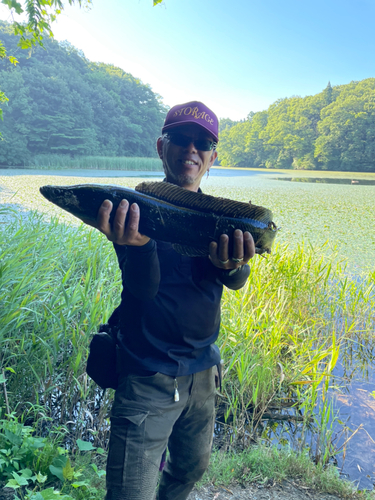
(61, 103)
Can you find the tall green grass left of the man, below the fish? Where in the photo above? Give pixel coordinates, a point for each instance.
(57, 284)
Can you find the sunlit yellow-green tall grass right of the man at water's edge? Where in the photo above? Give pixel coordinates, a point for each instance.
(281, 339)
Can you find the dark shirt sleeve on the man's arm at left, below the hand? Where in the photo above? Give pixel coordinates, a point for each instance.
(140, 269)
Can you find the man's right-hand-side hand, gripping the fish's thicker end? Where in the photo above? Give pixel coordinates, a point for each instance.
(243, 250)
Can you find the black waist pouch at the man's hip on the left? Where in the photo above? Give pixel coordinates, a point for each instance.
(102, 359)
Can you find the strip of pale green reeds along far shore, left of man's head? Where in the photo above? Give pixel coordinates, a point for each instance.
(95, 162)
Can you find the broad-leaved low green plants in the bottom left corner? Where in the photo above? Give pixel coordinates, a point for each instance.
(31, 461)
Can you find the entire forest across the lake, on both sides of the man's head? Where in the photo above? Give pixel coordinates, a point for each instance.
(62, 104)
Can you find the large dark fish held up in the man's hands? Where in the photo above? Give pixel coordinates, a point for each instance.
(188, 220)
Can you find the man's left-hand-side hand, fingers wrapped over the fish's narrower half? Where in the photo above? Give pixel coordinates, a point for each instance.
(118, 232)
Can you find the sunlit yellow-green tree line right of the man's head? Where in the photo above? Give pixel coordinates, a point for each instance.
(332, 130)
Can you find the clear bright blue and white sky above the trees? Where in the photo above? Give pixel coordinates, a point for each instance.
(236, 56)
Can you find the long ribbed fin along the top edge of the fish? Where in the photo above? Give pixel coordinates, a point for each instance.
(204, 202)
